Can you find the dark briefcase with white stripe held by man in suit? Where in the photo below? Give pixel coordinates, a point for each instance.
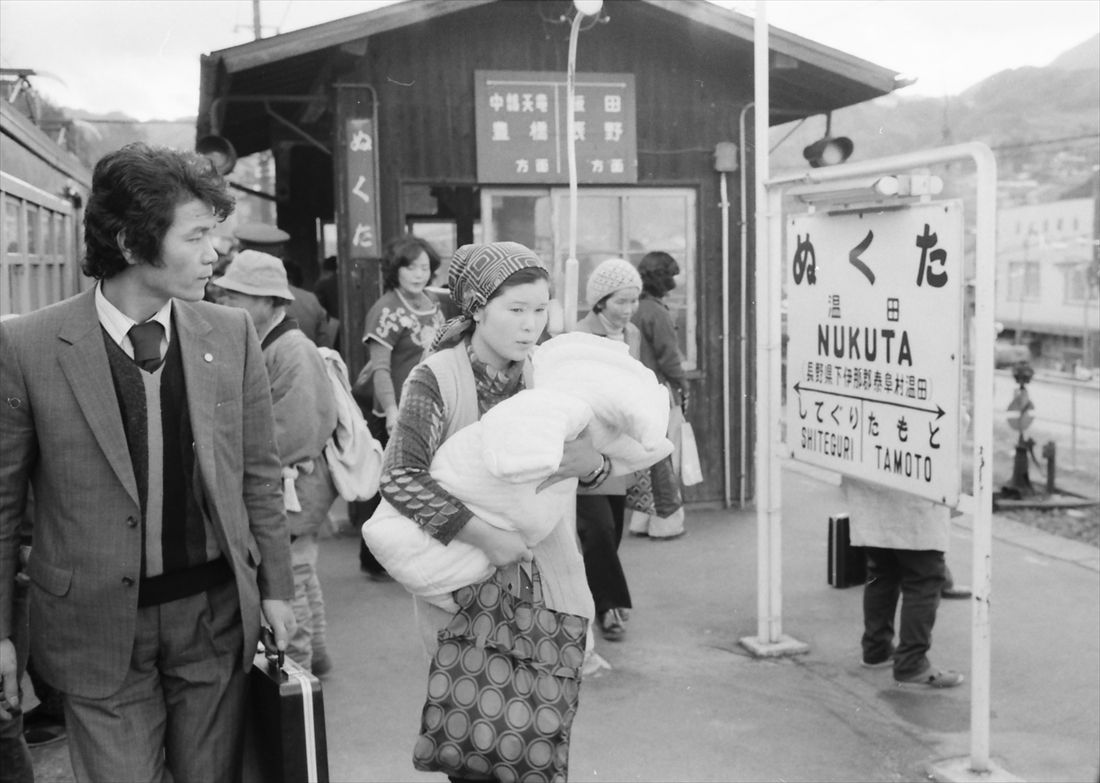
(285, 724)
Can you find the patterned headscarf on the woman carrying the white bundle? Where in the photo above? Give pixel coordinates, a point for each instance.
(477, 272)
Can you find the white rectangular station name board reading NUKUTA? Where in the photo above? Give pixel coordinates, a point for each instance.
(875, 351)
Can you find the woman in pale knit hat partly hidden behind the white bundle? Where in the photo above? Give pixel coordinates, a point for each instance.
(612, 292)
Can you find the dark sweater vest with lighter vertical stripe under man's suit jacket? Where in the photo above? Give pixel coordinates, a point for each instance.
(181, 556)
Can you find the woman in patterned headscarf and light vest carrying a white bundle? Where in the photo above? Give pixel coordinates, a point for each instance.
(479, 360)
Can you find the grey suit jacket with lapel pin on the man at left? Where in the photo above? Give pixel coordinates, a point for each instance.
(62, 433)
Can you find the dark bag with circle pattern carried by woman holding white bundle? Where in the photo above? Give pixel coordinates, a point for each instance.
(503, 687)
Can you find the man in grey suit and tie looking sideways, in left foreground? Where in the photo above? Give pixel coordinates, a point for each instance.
(142, 420)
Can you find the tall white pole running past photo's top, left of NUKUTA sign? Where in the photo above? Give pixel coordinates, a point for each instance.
(769, 622)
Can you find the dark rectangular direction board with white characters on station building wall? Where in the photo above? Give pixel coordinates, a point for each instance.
(521, 120)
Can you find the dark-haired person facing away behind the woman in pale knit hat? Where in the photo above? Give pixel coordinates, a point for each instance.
(655, 501)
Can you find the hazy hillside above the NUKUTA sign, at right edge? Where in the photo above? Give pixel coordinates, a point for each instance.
(1043, 123)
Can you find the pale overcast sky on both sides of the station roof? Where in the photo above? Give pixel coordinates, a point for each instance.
(142, 57)
